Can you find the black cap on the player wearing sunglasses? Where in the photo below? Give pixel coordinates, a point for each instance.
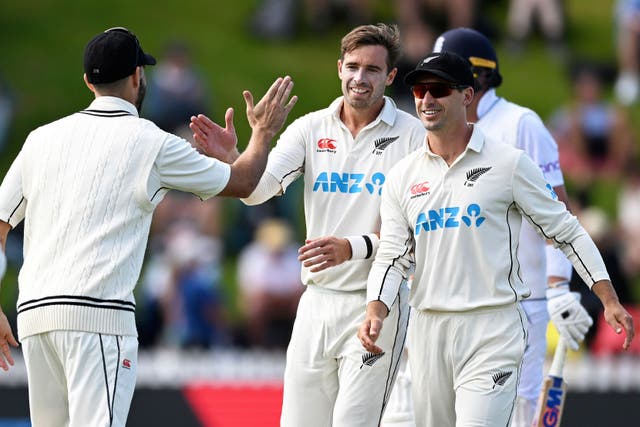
(446, 65)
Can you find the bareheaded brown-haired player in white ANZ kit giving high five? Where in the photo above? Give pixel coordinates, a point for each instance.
(344, 153)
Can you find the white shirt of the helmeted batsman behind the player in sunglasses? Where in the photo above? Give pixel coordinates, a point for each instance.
(522, 128)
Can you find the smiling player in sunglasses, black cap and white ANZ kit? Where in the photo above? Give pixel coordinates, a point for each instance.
(455, 208)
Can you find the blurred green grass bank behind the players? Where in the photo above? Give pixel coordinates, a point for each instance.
(41, 44)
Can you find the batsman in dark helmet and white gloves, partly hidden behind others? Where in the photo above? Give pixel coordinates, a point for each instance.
(546, 271)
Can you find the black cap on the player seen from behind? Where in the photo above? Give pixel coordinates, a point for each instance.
(113, 55)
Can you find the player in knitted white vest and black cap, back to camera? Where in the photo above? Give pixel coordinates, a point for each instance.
(86, 187)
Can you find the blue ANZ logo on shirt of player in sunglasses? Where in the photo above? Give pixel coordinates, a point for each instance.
(450, 217)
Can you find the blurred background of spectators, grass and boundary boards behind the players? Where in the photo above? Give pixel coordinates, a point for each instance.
(219, 288)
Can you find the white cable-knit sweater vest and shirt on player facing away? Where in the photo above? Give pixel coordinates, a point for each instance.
(86, 186)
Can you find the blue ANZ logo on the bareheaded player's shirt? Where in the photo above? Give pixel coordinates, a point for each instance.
(345, 182)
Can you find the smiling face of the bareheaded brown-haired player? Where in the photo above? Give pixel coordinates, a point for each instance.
(364, 76)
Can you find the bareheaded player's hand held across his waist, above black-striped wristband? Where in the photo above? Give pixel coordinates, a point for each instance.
(324, 252)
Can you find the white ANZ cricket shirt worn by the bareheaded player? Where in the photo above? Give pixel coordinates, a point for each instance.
(343, 177)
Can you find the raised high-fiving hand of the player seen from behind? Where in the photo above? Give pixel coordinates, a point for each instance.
(270, 113)
